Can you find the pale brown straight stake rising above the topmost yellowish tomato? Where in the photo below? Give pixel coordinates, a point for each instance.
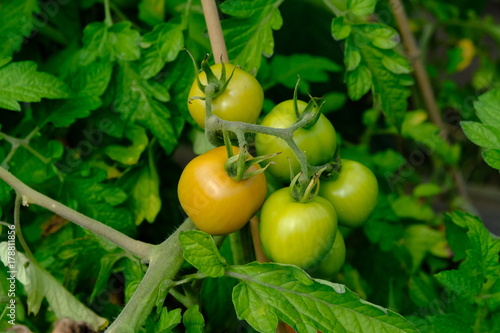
(215, 31)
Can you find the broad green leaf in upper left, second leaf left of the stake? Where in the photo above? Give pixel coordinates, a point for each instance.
(118, 42)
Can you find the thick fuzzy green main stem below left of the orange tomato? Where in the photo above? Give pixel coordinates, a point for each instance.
(166, 260)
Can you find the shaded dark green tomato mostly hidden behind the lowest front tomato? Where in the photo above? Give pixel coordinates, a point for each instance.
(332, 263)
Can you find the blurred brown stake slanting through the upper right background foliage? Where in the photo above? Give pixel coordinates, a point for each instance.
(424, 84)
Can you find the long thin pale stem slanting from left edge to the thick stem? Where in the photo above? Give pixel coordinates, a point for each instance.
(30, 196)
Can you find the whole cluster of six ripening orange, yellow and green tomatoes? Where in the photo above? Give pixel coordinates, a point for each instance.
(299, 231)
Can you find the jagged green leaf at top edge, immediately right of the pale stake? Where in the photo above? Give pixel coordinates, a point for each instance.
(249, 31)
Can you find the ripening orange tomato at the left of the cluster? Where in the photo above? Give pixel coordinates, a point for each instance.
(217, 204)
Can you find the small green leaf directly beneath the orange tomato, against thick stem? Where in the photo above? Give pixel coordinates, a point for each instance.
(201, 252)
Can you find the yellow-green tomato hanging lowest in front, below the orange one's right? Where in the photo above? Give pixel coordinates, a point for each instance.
(296, 233)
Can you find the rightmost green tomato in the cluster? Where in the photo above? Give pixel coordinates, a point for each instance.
(353, 193)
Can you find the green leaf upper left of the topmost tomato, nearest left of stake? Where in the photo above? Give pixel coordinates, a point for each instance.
(161, 45)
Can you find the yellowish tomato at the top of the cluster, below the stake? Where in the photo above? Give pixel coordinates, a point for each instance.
(241, 101)
